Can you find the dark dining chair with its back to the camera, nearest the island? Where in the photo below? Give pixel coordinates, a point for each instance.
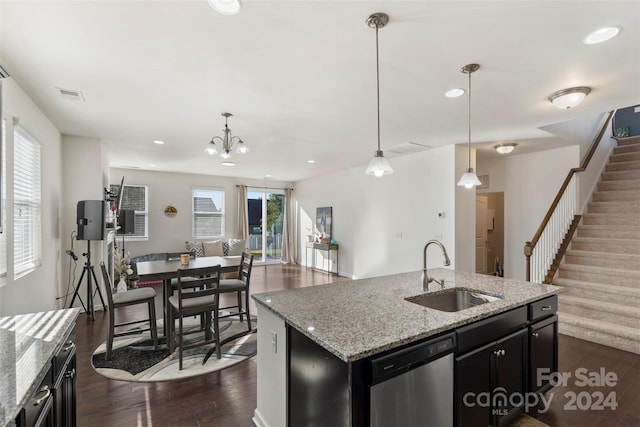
(197, 294)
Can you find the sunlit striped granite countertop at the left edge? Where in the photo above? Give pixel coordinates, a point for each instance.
(28, 343)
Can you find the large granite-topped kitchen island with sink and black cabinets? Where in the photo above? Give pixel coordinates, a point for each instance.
(317, 345)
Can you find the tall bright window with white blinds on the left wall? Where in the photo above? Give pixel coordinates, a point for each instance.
(27, 207)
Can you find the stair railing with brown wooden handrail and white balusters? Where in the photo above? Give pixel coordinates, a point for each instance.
(543, 248)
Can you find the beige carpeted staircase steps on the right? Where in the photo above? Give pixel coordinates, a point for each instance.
(601, 270)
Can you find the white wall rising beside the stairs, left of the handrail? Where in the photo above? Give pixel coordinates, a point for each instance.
(529, 182)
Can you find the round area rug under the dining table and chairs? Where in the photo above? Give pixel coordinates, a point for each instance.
(134, 358)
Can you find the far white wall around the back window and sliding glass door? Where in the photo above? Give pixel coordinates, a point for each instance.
(168, 234)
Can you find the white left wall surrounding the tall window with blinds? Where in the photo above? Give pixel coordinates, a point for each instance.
(37, 290)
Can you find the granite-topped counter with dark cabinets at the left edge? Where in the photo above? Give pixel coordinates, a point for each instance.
(38, 368)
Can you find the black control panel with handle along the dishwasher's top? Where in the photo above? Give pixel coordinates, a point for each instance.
(398, 362)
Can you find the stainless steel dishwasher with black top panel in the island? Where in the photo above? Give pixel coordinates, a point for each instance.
(413, 387)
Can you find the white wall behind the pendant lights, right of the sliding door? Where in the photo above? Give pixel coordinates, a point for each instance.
(370, 214)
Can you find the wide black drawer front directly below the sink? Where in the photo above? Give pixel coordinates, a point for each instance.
(490, 329)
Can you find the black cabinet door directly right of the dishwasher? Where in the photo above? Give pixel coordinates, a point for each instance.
(472, 386)
